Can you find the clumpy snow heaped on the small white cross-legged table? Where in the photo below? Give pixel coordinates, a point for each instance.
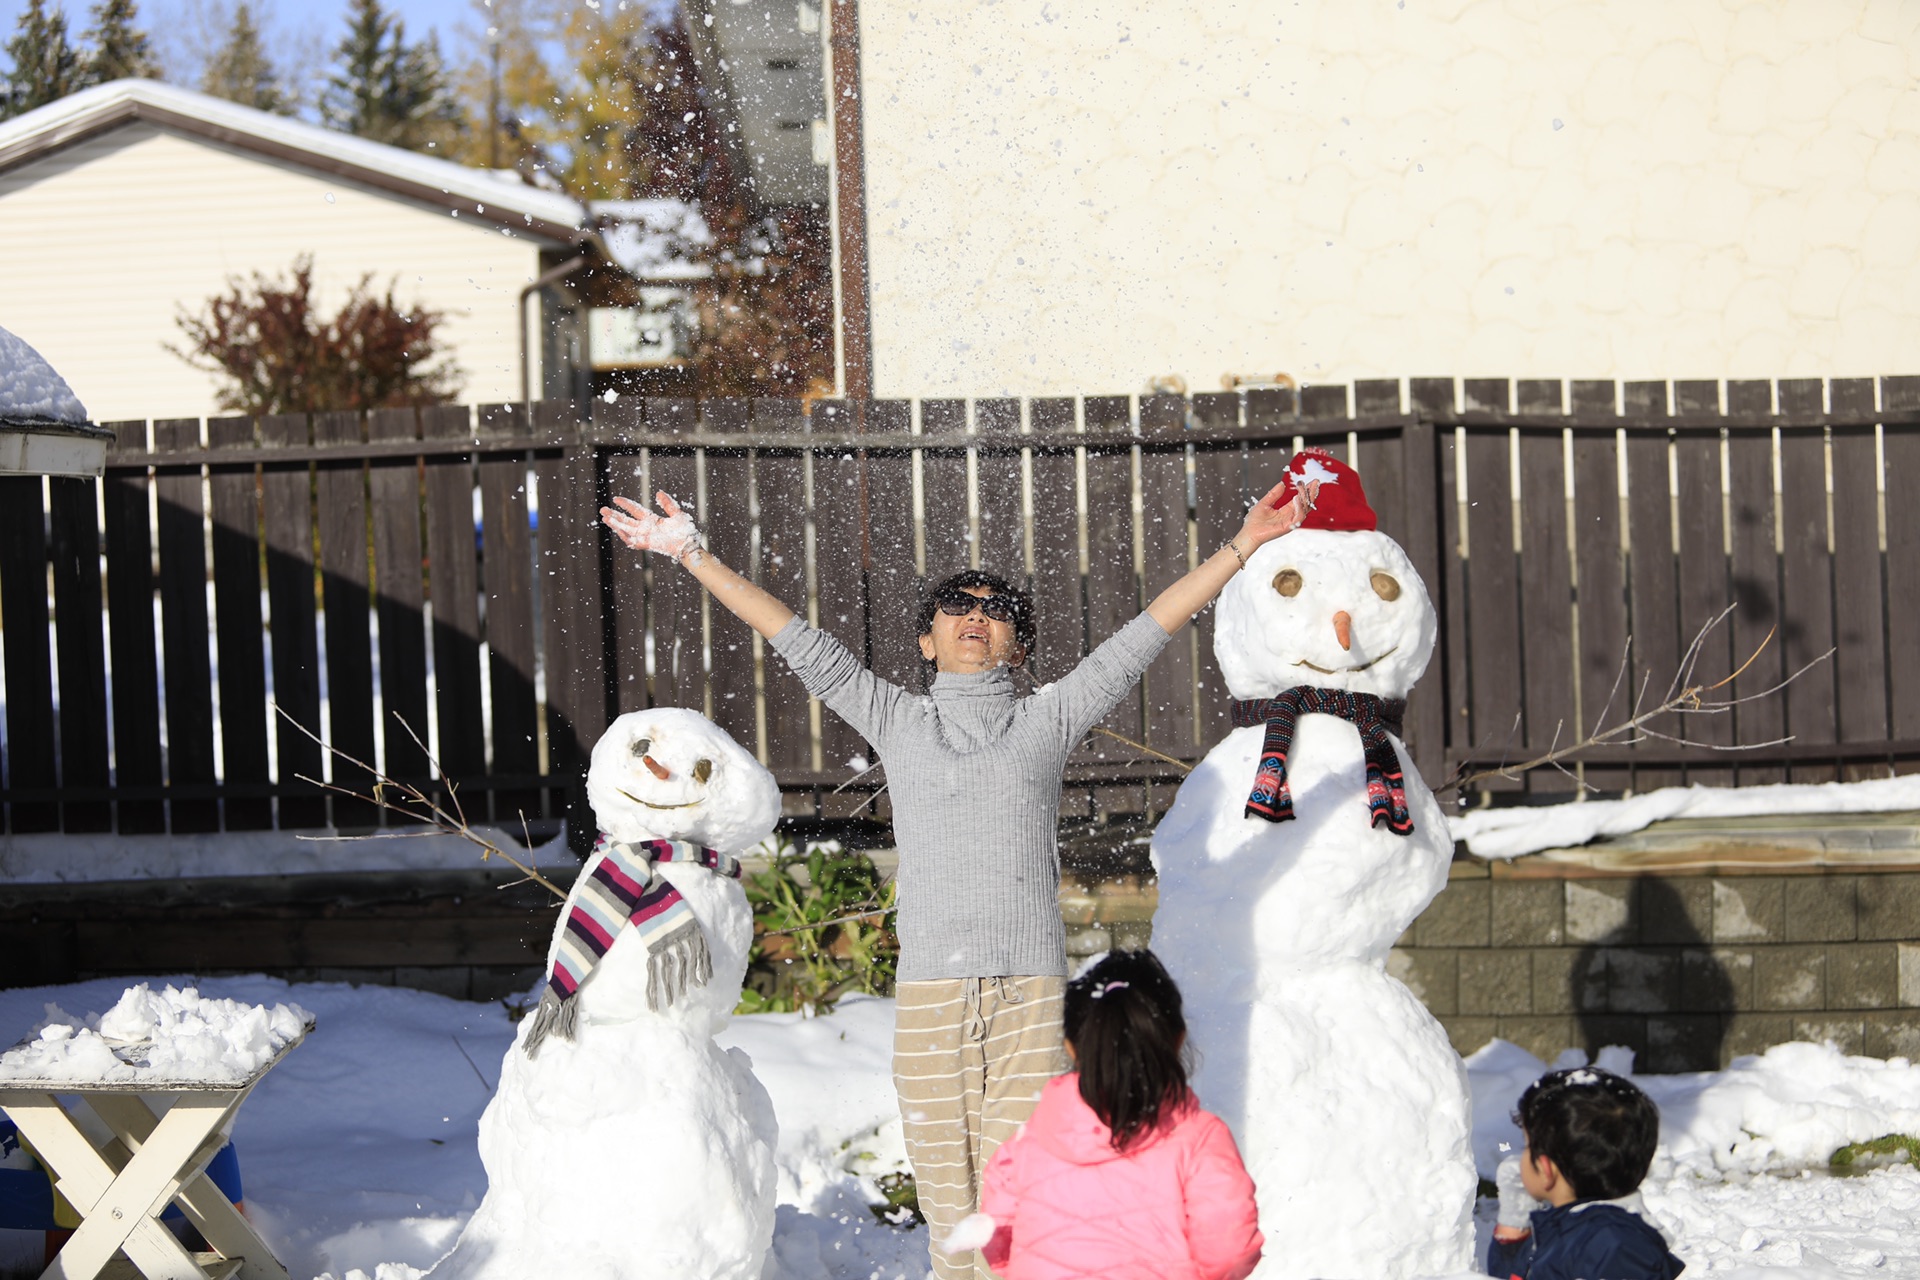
(158, 1037)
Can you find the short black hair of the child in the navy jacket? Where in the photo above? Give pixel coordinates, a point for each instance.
(1596, 1127)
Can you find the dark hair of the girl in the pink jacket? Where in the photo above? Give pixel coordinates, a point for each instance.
(1128, 1033)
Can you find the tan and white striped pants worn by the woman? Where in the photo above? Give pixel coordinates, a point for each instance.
(969, 1062)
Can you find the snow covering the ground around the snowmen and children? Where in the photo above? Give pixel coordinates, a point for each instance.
(358, 1150)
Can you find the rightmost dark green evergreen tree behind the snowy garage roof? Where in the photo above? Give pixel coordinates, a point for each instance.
(387, 89)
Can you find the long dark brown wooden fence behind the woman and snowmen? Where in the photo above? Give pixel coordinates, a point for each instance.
(444, 567)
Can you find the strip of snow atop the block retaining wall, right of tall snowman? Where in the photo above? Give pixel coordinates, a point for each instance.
(1527, 830)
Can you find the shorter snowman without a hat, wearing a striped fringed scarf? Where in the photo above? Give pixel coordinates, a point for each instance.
(623, 1143)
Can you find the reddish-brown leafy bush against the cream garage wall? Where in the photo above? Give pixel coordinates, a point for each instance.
(276, 354)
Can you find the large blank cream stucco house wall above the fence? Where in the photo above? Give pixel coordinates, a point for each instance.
(1082, 195)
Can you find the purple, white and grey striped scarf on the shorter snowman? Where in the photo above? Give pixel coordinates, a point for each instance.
(627, 889)
